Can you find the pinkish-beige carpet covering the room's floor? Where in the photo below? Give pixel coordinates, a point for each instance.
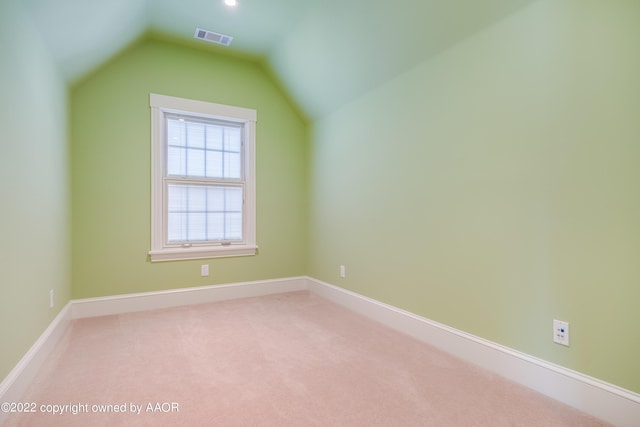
(283, 360)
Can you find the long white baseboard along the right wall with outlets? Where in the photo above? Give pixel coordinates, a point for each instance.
(605, 401)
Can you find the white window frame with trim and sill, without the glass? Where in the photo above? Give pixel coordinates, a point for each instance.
(161, 250)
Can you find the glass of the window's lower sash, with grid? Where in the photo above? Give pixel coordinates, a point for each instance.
(200, 213)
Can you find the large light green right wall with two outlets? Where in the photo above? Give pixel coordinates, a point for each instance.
(494, 188)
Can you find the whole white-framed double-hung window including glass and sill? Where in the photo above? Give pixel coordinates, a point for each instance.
(203, 179)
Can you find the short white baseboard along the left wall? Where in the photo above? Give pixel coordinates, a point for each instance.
(15, 384)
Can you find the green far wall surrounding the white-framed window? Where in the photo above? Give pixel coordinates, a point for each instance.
(110, 134)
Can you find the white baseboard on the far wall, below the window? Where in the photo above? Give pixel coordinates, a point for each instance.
(104, 306)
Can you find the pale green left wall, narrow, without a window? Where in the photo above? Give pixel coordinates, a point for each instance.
(34, 199)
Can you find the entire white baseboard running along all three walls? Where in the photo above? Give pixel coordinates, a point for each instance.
(605, 401)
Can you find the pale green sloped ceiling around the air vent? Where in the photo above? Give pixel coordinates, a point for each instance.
(324, 52)
